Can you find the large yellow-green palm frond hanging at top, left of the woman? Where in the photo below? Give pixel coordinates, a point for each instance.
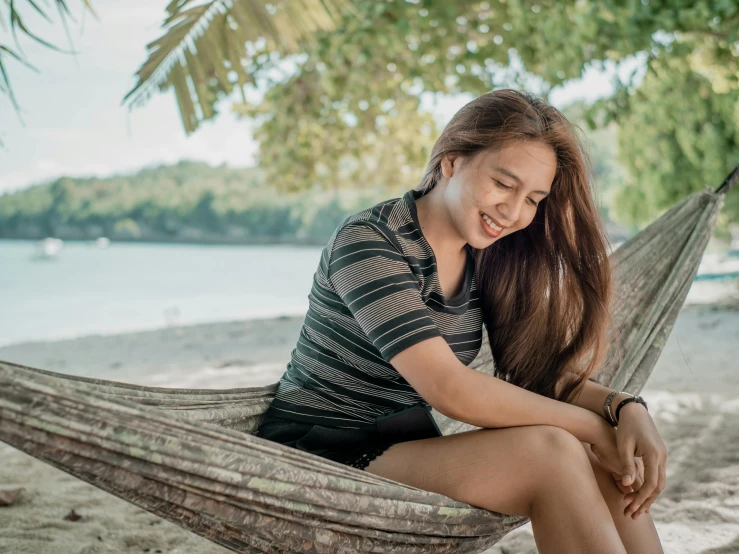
(207, 41)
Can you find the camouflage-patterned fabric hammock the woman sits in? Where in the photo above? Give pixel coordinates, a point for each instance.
(189, 456)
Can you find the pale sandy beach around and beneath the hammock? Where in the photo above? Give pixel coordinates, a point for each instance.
(693, 396)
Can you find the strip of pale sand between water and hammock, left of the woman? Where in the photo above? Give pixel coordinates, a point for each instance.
(167, 353)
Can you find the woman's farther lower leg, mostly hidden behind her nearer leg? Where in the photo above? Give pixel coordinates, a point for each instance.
(639, 535)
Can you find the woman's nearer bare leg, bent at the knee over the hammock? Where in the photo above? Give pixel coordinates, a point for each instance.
(538, 471)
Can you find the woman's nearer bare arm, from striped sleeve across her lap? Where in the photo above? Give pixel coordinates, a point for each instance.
(473, 397)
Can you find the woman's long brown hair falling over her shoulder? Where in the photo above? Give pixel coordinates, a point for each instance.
(546, 289)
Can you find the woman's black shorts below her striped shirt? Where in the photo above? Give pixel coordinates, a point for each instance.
(352, 447)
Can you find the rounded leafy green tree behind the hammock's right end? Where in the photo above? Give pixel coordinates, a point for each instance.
(676, 142)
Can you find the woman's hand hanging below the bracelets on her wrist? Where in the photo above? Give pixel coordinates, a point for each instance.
(637, 437)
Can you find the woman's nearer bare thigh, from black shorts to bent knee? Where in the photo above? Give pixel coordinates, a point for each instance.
(498, 469)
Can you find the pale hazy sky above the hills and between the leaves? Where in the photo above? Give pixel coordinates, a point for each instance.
(72, 121)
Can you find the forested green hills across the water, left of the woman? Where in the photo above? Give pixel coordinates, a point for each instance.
(190, 201)
